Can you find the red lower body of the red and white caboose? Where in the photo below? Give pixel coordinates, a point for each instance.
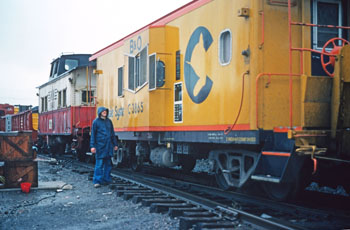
(63, 121)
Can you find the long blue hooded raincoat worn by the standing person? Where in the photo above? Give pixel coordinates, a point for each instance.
(102, 135)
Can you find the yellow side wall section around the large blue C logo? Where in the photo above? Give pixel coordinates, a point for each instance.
(221, 105)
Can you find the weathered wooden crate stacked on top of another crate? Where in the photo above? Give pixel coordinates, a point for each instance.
(16, 146)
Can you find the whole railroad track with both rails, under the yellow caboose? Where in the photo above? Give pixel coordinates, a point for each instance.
(202, 207)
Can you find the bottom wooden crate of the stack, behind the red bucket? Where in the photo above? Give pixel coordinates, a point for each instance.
(16, 172)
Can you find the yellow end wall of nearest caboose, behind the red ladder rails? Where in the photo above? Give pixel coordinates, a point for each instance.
(273, 97)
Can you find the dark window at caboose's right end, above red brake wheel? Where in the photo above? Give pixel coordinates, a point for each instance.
(326, 13)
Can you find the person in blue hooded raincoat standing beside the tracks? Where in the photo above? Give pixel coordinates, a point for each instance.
(102, 144)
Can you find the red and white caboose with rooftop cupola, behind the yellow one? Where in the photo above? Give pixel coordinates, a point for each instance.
(67, 105)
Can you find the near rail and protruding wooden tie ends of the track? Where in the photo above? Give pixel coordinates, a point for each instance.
(194, 210)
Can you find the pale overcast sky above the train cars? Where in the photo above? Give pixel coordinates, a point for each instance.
(34, 32)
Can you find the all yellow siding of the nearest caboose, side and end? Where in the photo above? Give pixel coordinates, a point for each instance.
(221, 106)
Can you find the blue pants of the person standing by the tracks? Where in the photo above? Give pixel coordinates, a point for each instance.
(102, 174)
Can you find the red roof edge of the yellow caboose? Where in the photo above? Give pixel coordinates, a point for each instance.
(159, 22)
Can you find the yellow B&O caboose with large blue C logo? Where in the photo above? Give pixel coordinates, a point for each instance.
(258, 87)
